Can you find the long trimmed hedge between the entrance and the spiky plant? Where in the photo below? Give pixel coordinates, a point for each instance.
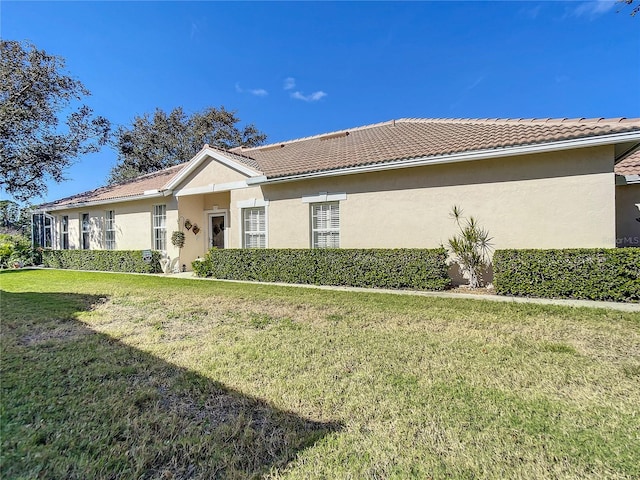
(383, 268)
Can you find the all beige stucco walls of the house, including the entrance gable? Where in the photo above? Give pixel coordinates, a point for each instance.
(555, 200)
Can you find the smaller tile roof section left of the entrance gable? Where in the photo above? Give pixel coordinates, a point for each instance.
(133, 188)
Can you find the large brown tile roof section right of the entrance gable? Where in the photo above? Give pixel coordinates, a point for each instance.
(415, 138)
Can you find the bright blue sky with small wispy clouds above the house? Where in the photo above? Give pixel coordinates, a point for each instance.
(300, 69)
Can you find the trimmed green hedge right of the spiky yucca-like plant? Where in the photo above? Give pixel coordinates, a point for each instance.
(592, 274)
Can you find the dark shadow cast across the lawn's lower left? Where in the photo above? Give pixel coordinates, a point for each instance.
(80, 404)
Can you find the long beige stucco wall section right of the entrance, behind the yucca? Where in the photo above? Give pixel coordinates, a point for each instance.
(556, 200)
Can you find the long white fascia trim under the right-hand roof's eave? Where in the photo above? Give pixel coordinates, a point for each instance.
(457, 157)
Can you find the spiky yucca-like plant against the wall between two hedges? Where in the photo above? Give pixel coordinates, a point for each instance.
(471, 248)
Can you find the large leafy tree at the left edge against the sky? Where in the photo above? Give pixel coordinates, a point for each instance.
(36, 96)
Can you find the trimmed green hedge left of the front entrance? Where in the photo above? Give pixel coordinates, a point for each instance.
(102, 260)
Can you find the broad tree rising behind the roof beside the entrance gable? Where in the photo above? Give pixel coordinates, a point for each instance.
(154, 142)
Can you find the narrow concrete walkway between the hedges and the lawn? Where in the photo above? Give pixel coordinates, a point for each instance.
(624, 307)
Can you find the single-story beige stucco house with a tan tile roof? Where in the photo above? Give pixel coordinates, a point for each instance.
(550, 183)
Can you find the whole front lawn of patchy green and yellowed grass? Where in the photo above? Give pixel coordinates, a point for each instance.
(125, 376)
